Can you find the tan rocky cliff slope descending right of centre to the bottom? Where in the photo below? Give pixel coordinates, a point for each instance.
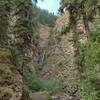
(61, 61)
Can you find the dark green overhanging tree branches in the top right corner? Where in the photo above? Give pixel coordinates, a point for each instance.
(86, 9)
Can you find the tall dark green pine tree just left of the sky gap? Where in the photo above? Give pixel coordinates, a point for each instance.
(23, 31)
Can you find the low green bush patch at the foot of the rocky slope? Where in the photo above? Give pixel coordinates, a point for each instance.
(35, 84)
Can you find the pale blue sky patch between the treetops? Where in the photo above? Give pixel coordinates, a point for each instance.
(50, 5)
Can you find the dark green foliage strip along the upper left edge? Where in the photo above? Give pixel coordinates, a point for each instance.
(4, 16)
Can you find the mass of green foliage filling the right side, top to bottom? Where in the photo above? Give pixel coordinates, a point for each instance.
(87, 54)
